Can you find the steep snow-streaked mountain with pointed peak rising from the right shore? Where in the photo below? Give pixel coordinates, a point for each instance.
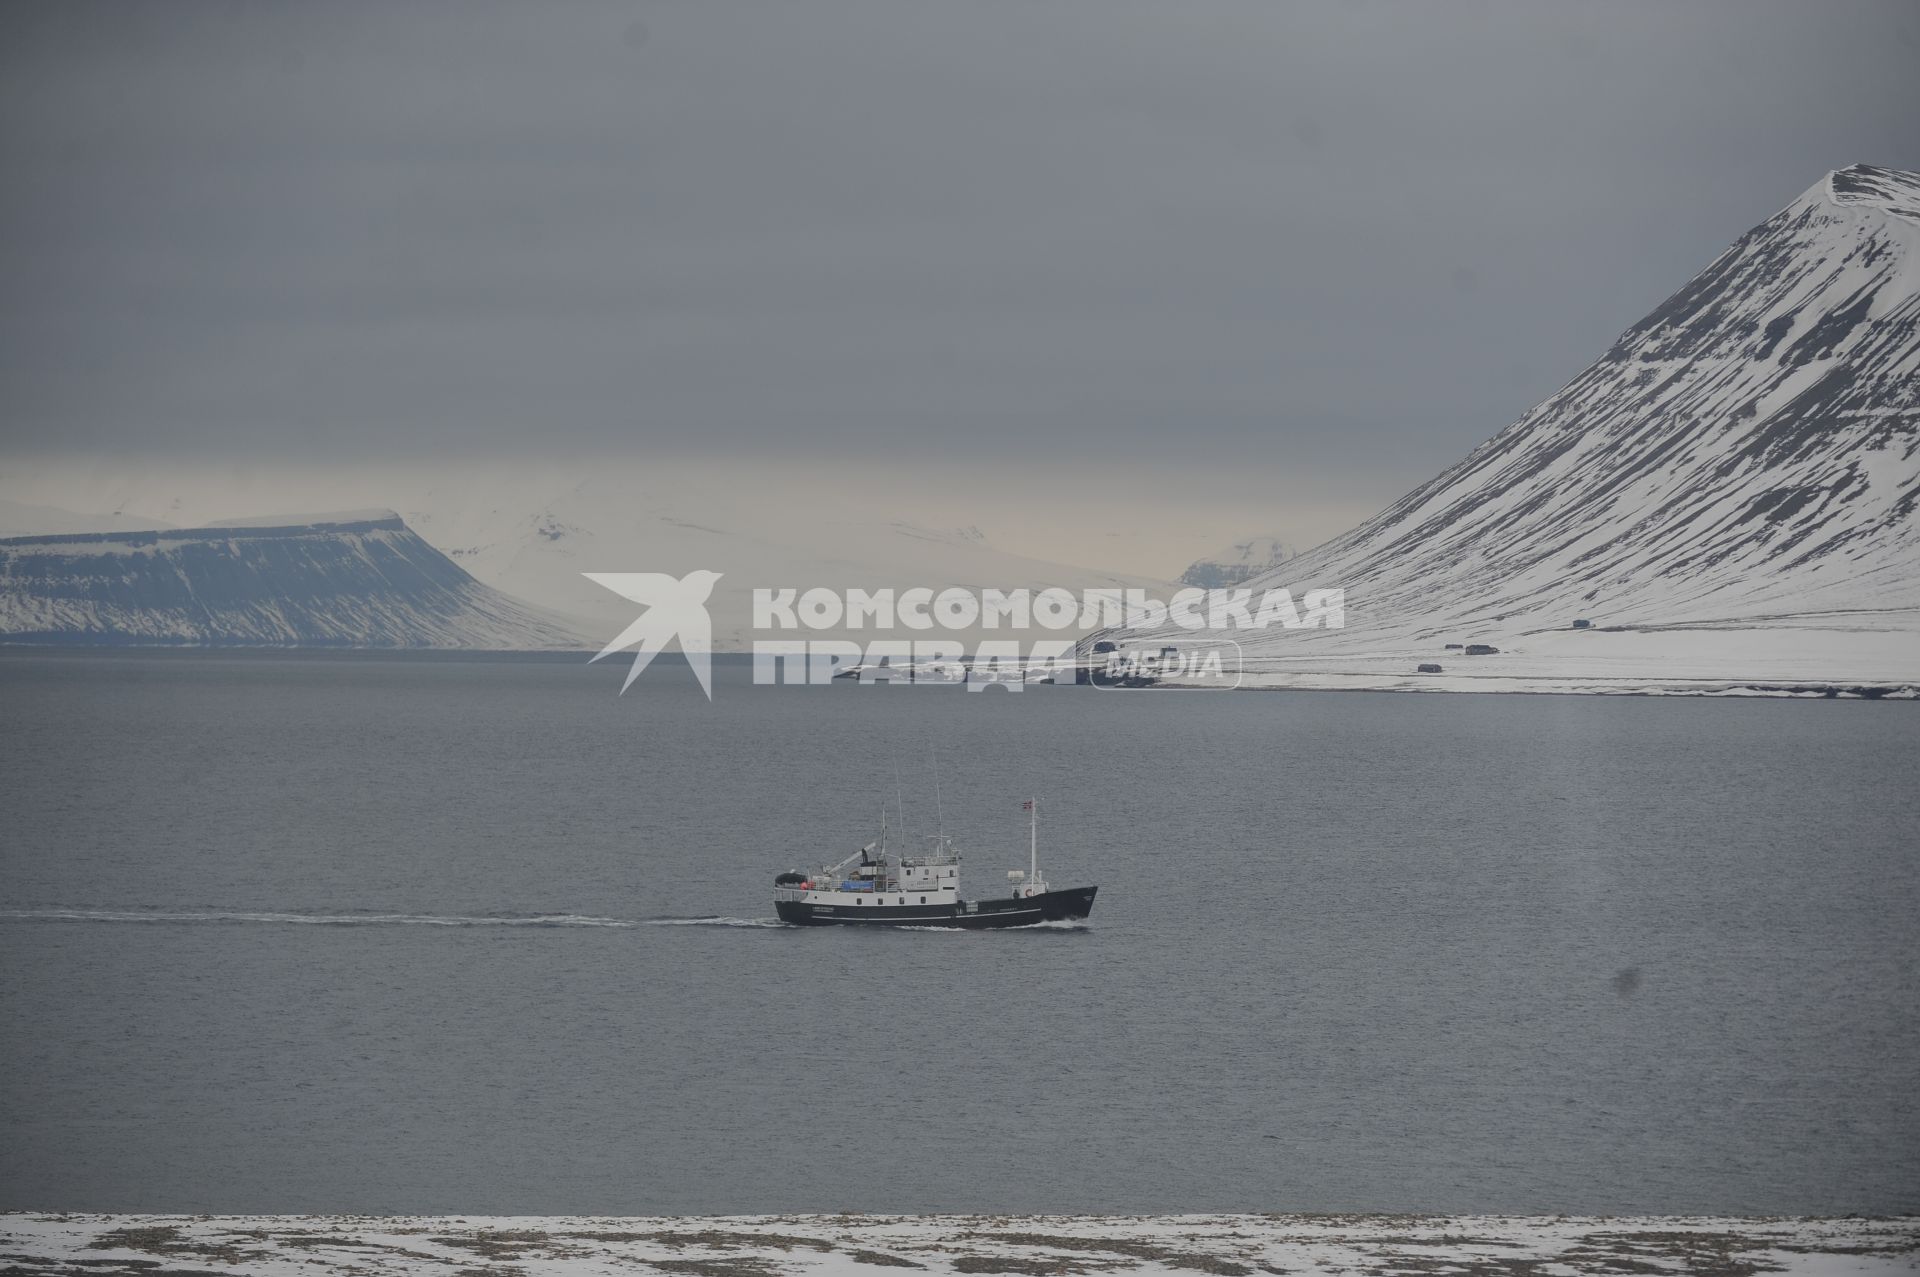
(1727, 494)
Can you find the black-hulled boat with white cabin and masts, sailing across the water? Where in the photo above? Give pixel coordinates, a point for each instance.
(884, 888)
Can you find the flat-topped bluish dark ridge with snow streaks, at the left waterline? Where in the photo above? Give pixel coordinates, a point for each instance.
(352, 583)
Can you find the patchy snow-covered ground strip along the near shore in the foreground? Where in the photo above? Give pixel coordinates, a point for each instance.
(122, 1245)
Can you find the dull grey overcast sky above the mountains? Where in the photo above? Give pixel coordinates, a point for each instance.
(1314, 253)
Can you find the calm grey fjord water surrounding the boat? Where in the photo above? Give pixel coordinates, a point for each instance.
(352, 934)
